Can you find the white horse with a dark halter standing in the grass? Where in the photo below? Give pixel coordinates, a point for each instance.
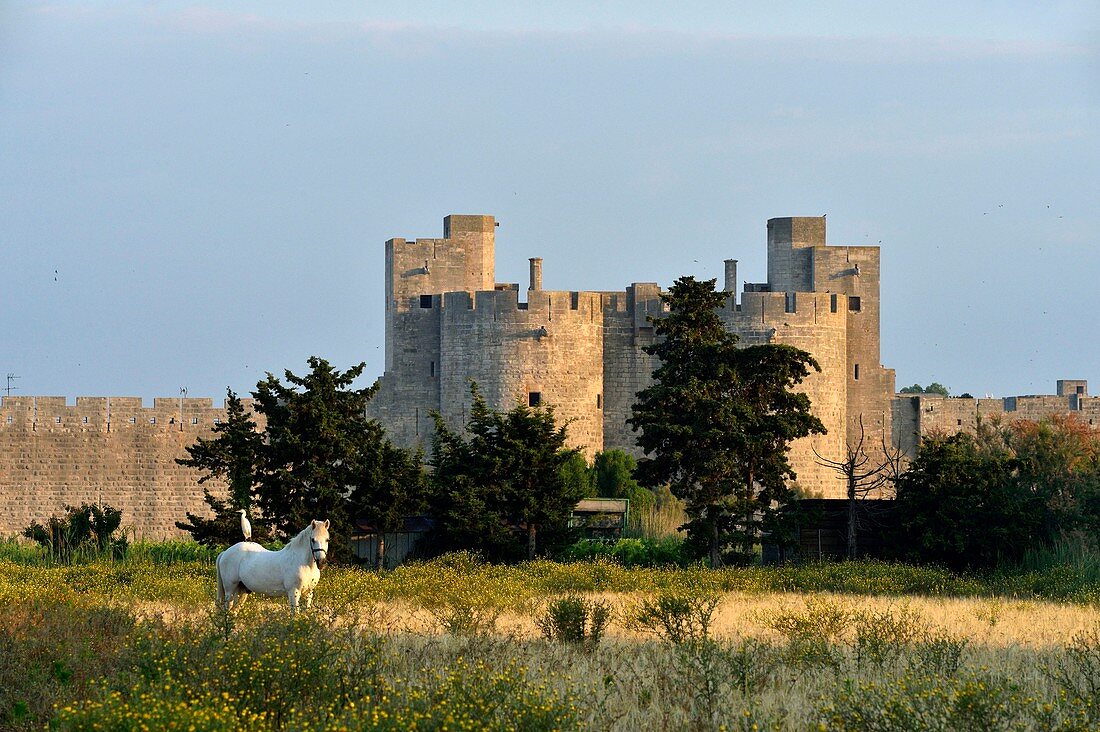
(294, 571)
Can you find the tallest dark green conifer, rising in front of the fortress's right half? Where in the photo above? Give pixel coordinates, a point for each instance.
(717, 422)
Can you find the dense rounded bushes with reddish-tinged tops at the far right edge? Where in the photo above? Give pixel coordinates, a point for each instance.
(987, 500)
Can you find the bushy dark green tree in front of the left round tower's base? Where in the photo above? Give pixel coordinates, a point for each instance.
(504, 486)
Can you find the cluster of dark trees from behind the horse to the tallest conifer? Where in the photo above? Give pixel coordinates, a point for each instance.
(504, 487)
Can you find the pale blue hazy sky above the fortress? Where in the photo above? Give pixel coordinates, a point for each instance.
(195, 194)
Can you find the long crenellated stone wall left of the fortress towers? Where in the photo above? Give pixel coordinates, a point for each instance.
(108, 451)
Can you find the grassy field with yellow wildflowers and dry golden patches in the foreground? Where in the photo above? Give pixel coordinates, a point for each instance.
(459, 646)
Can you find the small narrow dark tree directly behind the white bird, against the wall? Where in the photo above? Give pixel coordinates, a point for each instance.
(236, 455)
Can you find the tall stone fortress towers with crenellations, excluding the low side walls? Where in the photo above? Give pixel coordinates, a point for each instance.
(449, 322)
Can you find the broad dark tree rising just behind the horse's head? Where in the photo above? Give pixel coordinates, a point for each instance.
(320, 442)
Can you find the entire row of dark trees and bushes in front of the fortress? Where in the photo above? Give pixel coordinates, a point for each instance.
(716, 427)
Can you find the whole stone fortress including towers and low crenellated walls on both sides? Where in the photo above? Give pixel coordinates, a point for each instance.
(449, 322)
